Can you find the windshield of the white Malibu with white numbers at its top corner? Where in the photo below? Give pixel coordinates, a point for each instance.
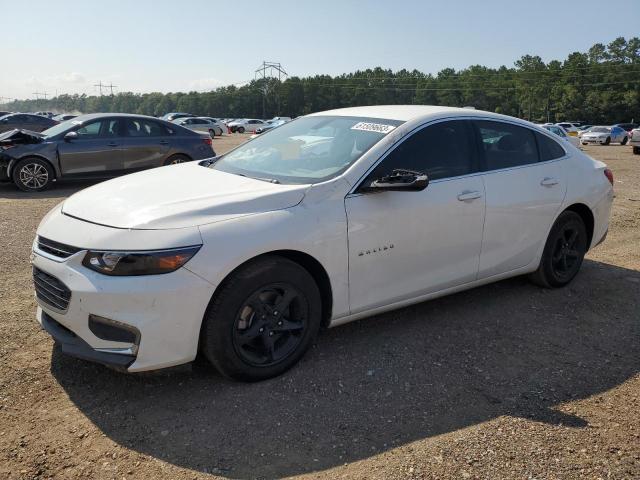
(307, 150)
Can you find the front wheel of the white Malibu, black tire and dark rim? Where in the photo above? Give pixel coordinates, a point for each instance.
(242, 320)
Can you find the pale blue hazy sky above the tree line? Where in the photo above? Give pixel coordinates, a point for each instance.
(69, 46)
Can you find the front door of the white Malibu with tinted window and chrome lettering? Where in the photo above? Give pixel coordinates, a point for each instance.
(405, 244)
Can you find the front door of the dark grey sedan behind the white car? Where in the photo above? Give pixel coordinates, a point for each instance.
(96, 151)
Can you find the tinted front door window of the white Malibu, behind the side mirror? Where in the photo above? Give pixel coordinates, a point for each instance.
(442, 150)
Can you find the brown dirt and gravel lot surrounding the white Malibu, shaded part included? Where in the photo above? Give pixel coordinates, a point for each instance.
(504, 381)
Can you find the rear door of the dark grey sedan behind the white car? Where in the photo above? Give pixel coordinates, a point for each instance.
(145, 145)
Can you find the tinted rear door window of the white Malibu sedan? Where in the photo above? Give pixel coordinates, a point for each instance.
(506, 145)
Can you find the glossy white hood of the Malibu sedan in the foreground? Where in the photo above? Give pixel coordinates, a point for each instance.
(178, 196)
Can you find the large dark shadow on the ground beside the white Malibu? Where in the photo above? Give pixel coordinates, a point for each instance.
(504, 349)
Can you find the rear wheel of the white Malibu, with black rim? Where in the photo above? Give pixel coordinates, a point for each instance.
(563, 252)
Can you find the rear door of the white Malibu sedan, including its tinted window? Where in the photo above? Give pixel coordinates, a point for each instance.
(525, 184)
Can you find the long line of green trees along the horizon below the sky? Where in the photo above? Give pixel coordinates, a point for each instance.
(601, 85)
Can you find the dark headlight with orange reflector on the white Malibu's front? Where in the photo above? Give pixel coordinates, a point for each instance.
(151, 262)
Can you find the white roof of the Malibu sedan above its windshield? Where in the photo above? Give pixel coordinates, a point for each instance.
(406, 113)
